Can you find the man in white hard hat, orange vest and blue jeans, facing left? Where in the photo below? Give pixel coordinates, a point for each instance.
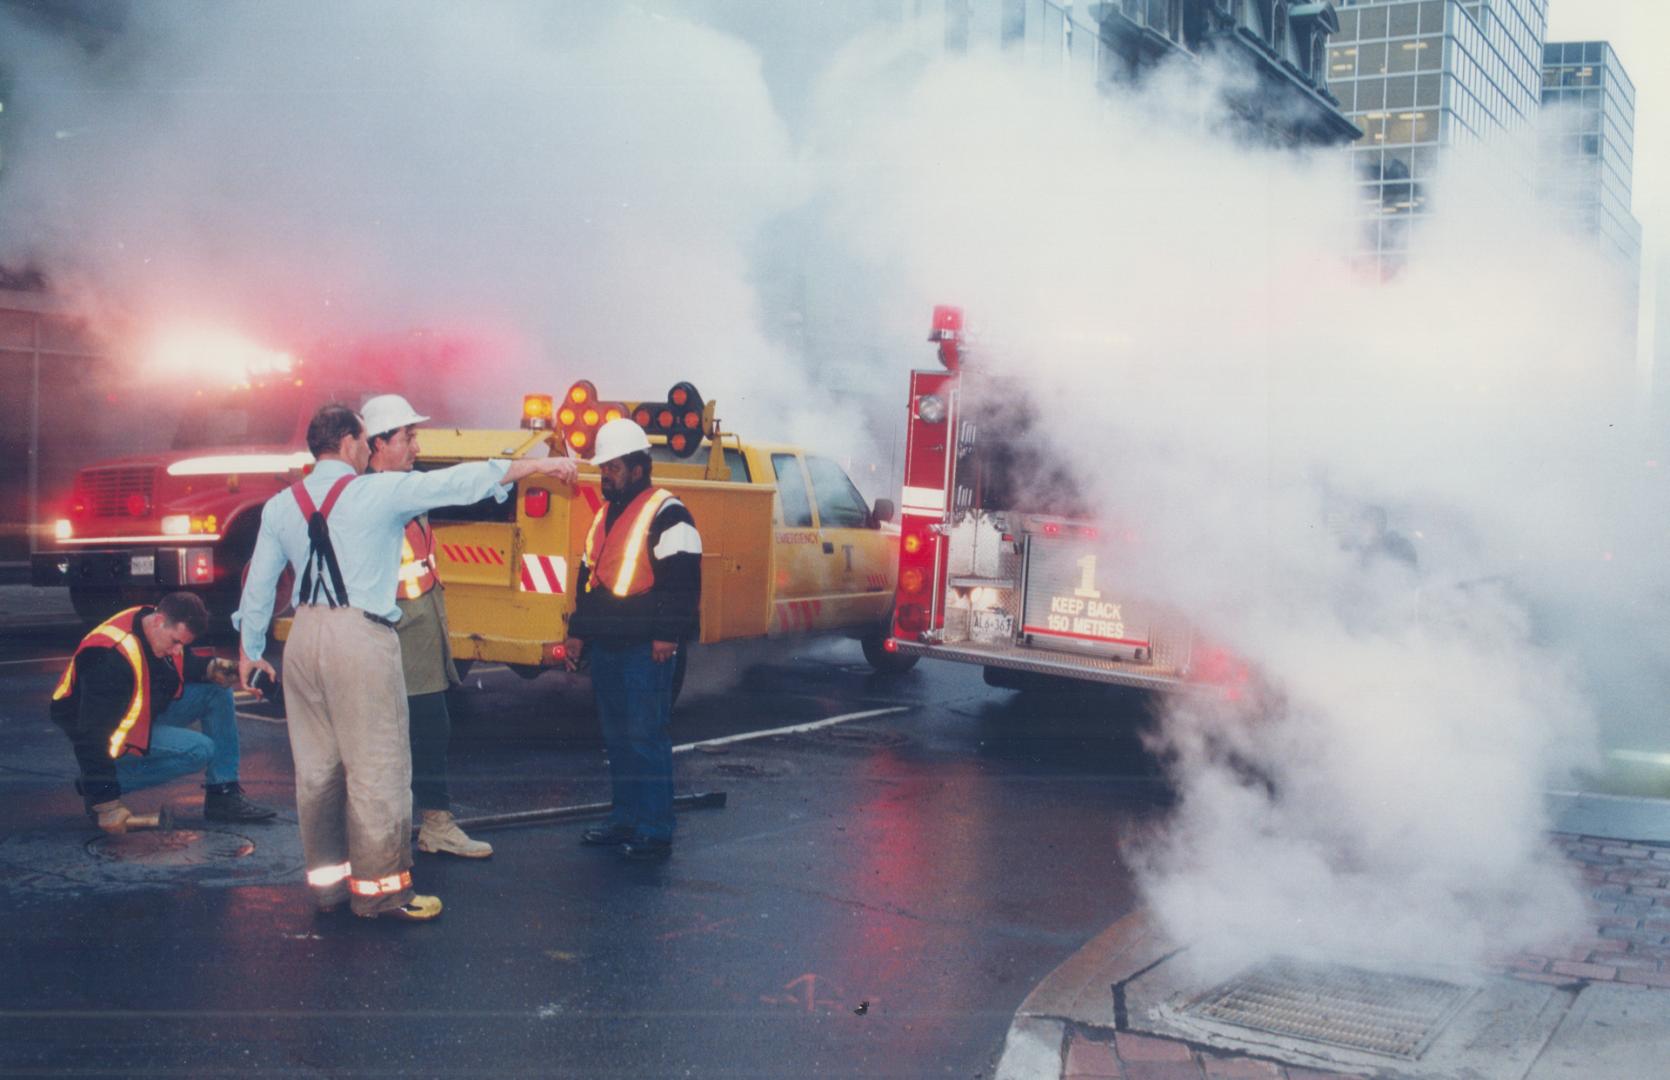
(637, 602)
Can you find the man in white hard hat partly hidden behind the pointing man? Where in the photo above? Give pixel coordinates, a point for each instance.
(427, 654)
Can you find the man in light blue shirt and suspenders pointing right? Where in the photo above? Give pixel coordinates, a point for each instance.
(343, 685)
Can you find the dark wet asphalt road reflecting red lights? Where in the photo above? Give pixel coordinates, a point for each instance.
(876, 899)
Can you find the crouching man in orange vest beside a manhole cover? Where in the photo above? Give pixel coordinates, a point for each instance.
(128, 700)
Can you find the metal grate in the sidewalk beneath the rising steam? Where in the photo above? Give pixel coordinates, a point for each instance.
(1395, 1016)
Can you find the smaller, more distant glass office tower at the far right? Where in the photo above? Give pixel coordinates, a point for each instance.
(1587, 143)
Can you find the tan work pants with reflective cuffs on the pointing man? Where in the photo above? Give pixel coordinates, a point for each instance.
(345, 700)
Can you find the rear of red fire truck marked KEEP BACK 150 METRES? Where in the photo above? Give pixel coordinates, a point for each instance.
(1001, 565)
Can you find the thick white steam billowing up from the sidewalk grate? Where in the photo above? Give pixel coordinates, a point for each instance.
(1237, 398)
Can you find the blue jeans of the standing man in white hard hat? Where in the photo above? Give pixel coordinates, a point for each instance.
(635, 702)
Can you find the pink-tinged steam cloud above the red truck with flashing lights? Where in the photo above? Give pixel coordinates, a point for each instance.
(584, 186)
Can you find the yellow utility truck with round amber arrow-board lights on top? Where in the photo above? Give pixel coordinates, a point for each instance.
(789, 545)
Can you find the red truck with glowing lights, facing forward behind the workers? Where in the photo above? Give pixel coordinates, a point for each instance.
(186, 518)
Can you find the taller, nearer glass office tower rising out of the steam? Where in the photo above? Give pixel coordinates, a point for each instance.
(1422, 78)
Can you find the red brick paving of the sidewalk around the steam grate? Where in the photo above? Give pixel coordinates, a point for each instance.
(1629, 899)
